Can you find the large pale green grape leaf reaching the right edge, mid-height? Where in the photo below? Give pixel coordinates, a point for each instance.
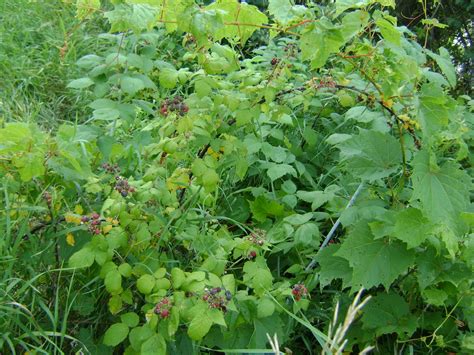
(442, 190)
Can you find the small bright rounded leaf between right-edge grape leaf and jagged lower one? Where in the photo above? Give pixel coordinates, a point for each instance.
(412, 227)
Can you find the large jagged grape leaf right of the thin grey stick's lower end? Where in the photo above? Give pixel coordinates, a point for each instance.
(374, 261)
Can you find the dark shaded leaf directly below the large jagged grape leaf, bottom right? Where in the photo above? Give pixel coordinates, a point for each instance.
(389, 313)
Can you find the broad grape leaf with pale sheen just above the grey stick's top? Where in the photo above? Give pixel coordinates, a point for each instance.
(371, 155)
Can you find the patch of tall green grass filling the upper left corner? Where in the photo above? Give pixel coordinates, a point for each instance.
(35, 66)
